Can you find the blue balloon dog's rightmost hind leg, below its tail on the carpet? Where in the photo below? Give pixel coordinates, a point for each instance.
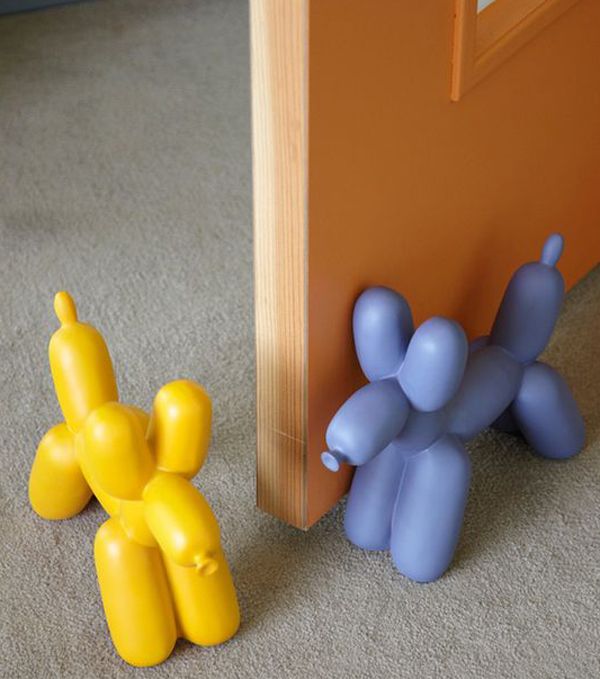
(546, 413)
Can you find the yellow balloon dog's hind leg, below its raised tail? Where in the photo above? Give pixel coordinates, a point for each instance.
(57, 489)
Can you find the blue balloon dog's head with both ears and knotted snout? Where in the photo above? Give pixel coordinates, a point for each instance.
(406, 369)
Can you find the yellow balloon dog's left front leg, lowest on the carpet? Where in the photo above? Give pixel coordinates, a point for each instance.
(136, 597)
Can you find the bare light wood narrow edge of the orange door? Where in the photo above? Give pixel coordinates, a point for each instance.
(279, 107)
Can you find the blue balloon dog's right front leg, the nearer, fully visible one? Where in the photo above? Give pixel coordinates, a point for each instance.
(429, 510)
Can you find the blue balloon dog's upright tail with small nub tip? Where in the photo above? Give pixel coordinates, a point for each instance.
(531, 304)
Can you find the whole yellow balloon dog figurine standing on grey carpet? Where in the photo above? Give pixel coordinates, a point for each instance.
(160, 565)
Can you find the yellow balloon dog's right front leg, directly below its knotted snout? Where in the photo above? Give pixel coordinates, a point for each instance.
(205, 601)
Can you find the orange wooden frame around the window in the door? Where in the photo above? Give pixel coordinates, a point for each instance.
(484, 40)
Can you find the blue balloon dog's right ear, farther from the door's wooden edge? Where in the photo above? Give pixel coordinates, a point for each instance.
(435, 363)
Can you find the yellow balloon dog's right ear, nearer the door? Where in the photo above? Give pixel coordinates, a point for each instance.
(179, 431)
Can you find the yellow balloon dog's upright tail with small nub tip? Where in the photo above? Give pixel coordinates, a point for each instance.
(81, 367)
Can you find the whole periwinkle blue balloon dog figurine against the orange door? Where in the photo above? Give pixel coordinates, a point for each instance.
(429, 393)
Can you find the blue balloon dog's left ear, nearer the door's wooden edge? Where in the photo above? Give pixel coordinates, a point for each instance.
(383, 326)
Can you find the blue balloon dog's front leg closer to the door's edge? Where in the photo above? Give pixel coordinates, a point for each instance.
(371, 499)
